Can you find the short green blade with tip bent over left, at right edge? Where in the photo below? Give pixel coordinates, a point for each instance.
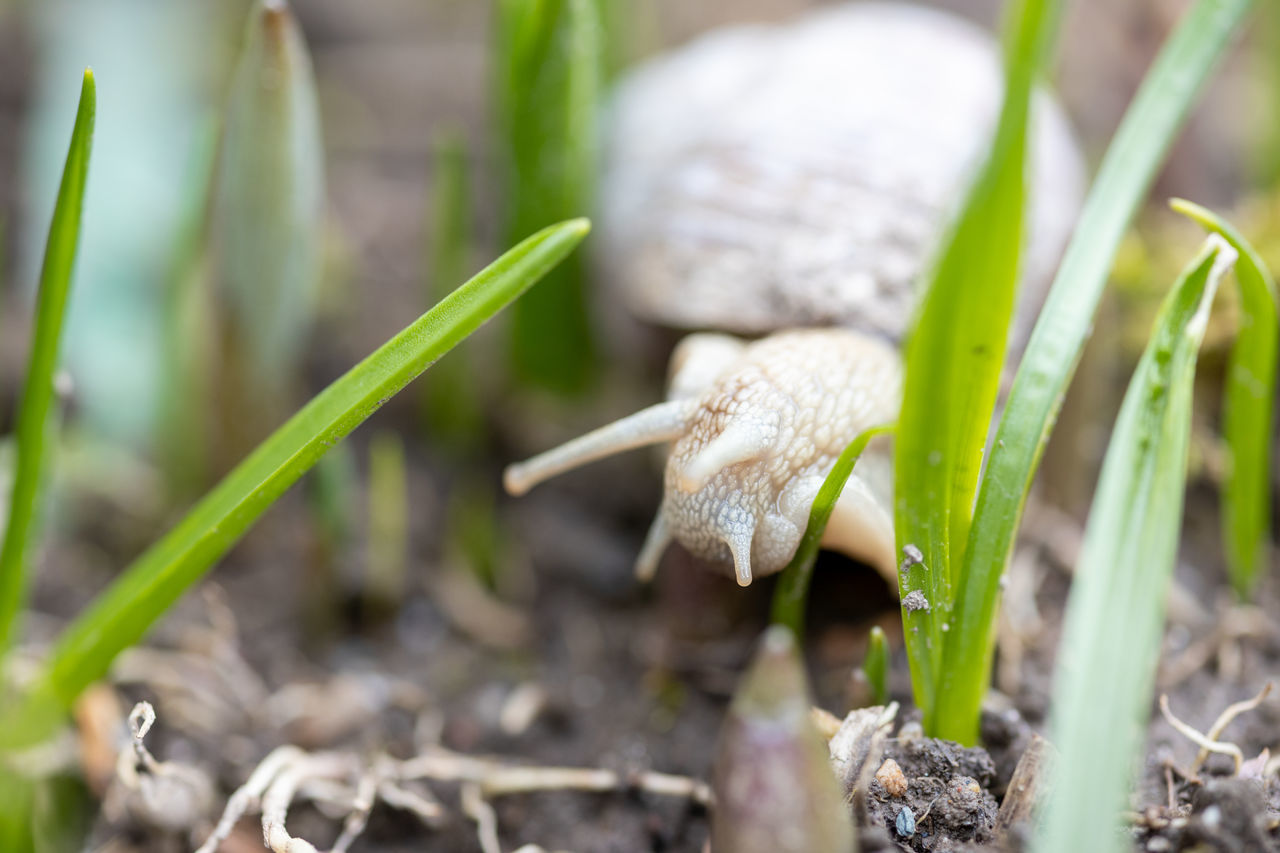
(1249, 408)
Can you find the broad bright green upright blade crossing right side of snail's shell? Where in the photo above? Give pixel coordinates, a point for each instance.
(956, 357)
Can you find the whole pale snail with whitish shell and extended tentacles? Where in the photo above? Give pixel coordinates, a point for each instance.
(792, 183)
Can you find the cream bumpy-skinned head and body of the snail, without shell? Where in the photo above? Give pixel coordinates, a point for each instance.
(753, 444)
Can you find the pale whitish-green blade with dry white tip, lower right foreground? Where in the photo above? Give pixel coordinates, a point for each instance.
(1116, 612)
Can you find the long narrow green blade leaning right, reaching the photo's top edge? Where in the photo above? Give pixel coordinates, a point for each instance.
(1139, 149)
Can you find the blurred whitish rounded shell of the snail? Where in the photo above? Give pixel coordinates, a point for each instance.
(783, 177)
